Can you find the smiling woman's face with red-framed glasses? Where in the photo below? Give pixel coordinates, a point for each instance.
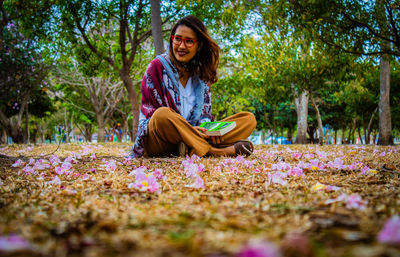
(184, 43)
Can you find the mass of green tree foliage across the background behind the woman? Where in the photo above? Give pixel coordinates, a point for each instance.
(271, 51)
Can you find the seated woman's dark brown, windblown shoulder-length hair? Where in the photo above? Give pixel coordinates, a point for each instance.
(205, 62)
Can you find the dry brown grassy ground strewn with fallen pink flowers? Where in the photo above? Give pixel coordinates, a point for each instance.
(300, 200)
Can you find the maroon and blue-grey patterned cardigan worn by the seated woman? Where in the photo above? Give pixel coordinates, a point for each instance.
(160, 88)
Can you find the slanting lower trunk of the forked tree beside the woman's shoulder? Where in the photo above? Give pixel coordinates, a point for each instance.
(128, 83)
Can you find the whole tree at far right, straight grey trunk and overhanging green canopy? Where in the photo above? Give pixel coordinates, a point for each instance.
(357, 27)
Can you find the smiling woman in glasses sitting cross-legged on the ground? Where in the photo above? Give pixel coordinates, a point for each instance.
(176, 99)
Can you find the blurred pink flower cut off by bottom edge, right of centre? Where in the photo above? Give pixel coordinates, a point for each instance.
(260, 249)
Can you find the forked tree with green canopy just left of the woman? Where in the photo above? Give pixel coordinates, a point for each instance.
(90, 27)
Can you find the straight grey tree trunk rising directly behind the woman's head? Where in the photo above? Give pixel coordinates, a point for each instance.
(156, 27)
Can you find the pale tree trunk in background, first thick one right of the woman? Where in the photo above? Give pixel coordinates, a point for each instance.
(301, 103)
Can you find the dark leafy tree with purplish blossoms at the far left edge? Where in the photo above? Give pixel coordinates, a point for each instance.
(22, 80)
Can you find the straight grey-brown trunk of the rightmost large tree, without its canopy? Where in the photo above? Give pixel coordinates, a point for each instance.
(385, 120)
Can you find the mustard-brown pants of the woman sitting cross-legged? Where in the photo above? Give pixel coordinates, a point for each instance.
(167, 128)
